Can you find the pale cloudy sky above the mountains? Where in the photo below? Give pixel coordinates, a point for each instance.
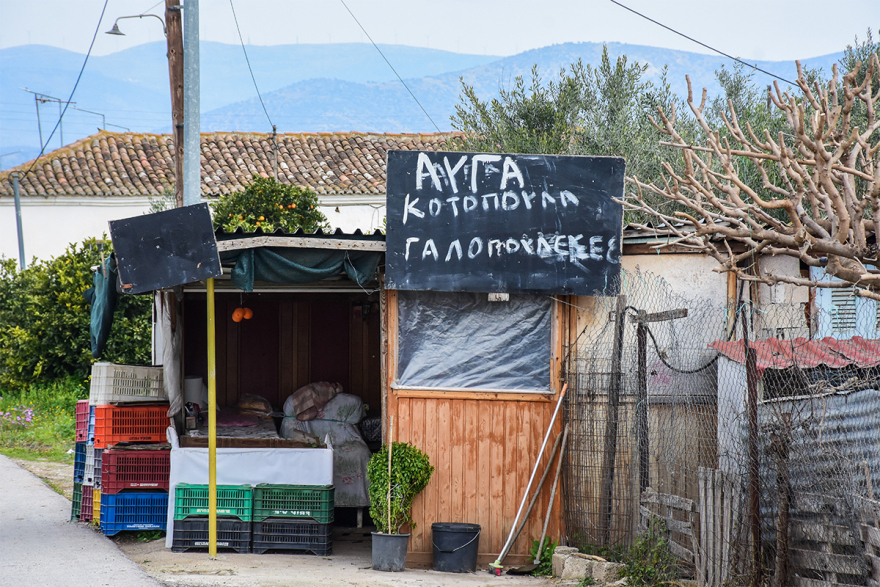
(754, 29)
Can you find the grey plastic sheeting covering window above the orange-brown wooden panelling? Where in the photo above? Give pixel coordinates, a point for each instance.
(461, 340)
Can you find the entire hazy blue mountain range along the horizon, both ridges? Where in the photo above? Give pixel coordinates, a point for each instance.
(305, 87)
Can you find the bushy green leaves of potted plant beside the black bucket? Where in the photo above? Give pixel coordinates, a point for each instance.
(410, 473)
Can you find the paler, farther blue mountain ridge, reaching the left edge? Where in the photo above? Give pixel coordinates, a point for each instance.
(131, 87)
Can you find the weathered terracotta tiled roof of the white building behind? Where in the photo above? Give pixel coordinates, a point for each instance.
(134, 164)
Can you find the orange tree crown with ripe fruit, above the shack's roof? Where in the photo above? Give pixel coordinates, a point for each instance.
(269, 205)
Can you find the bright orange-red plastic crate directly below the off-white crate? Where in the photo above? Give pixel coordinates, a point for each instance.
(130, 424)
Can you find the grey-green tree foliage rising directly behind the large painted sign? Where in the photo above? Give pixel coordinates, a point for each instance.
(586, 110)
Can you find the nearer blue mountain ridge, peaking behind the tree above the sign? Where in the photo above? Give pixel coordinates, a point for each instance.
(333, 105)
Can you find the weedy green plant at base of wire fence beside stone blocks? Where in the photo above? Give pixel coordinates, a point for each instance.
(649, 563)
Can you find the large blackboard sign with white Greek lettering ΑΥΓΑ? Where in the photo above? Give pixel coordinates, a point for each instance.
(503, 223)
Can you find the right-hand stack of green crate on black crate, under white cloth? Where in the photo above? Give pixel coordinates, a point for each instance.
(293, 517)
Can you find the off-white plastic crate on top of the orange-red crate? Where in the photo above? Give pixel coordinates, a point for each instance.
(117, 384)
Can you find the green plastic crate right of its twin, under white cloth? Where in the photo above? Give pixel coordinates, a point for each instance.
(294, 501)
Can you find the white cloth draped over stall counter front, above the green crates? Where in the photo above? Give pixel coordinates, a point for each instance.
(246, 466)
